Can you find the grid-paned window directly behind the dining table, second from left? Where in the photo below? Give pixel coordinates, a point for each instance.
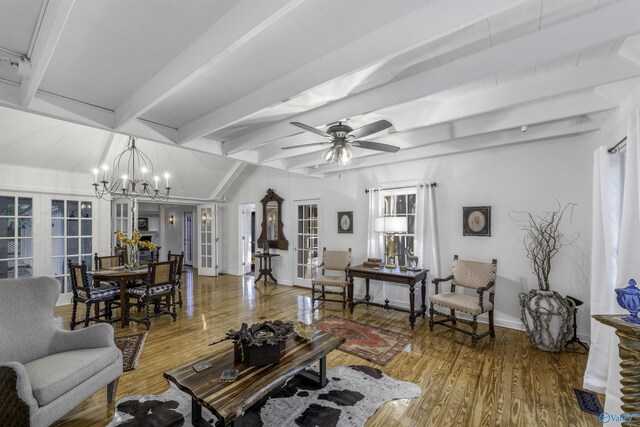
(71, 237)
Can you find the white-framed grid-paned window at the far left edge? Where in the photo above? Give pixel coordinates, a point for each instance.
(16, 237)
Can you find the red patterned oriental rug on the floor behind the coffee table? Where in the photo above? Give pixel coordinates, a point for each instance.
(368, 342)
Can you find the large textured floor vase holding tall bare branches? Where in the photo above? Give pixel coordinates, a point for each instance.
(546, 314)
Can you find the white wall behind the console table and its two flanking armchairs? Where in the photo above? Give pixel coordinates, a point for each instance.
(522, 177)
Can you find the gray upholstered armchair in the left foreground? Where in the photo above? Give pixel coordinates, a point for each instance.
(46, 371)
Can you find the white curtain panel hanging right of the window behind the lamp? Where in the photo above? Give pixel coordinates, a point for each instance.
(426, 233)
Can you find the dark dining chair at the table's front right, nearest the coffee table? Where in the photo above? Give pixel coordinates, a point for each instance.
(159, 289)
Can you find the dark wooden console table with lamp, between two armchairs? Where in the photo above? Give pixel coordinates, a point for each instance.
(409, 278)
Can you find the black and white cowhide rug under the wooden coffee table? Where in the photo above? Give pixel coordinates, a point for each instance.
(351, 396)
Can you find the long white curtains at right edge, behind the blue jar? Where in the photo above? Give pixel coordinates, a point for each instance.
(616, 249)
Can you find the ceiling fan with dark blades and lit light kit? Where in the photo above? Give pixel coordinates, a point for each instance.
(343, 136)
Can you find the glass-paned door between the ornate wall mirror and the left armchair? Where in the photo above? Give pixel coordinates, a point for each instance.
(307, 241)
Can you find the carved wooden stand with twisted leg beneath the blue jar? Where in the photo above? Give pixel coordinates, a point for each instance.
(629, 350)
